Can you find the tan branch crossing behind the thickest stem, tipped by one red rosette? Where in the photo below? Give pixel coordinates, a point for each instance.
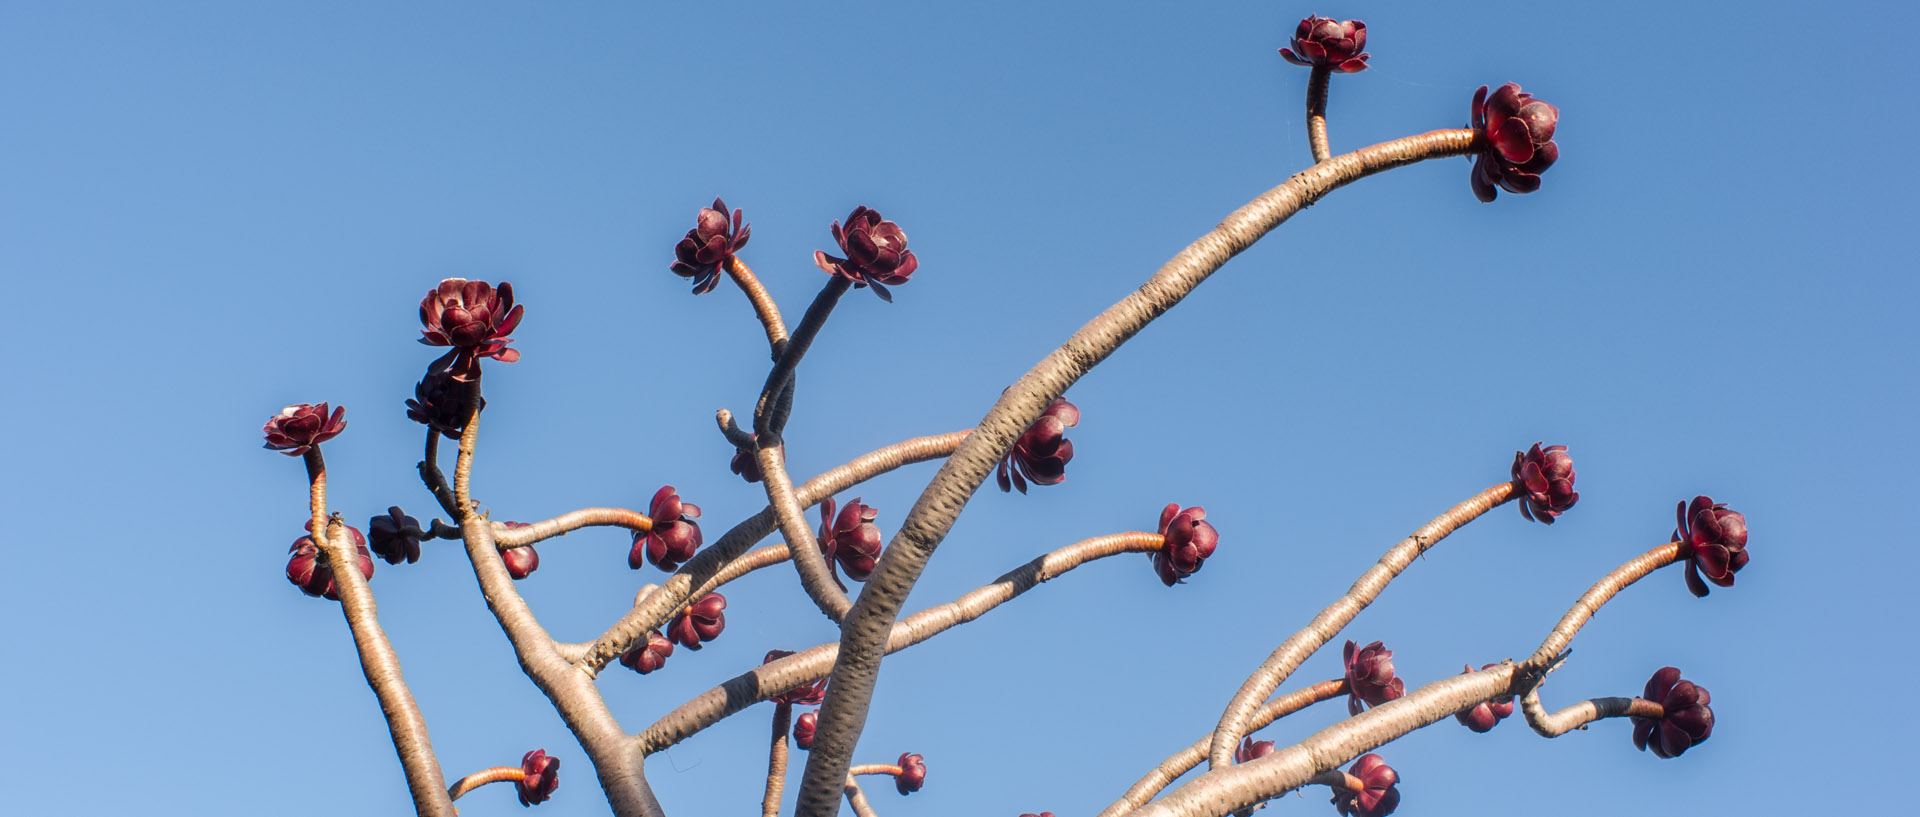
(815, 665)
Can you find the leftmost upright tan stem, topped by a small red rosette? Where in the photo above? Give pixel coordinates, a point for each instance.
(379, 661)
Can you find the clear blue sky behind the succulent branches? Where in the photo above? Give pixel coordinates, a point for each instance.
(212, 212)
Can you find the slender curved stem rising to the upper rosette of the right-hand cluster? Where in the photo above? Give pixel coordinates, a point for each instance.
(1335, 619)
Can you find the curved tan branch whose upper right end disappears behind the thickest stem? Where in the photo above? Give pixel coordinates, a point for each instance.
(675, 592)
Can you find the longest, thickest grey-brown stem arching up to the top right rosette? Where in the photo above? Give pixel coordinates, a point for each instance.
(869, 628)
